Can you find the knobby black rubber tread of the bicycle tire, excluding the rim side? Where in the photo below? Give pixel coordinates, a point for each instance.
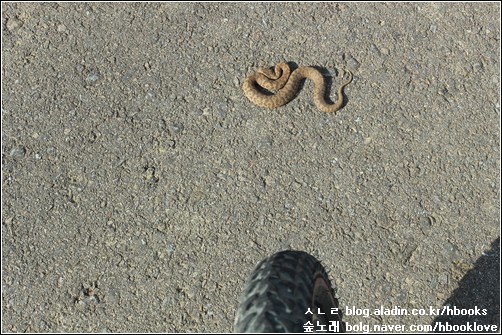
(278, 294)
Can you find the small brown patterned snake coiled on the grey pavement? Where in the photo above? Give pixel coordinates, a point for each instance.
(285, 84)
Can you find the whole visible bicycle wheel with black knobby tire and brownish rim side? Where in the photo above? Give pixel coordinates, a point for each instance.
(280, 293)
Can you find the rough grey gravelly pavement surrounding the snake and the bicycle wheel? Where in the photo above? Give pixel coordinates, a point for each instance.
(140, 187)
